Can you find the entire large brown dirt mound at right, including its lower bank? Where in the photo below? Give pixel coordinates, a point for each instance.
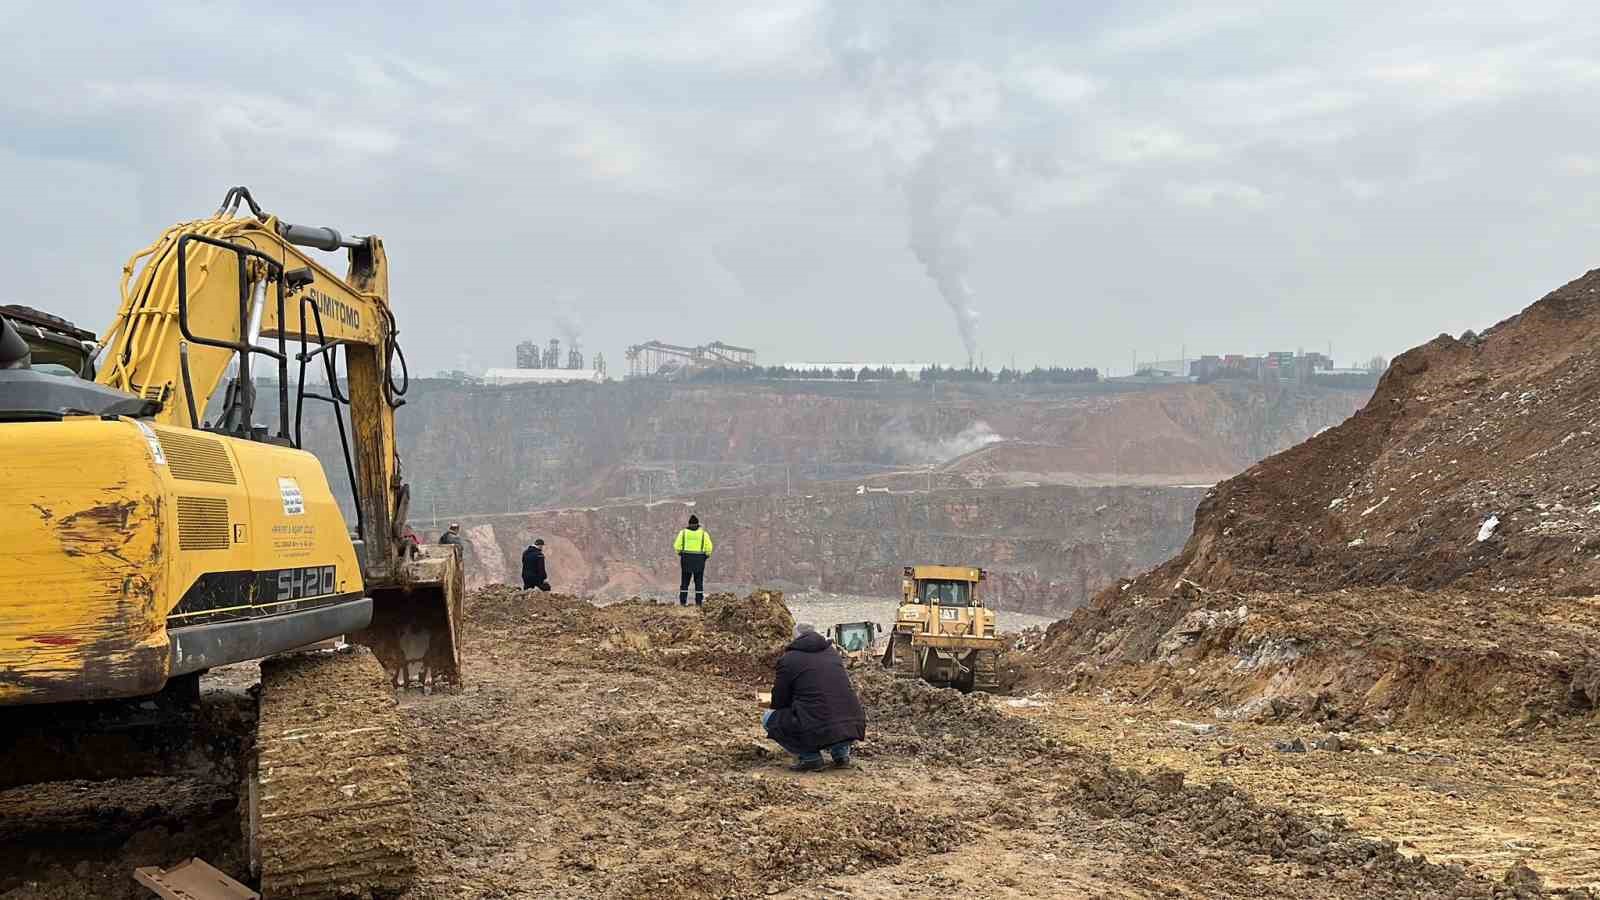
(1470, 472)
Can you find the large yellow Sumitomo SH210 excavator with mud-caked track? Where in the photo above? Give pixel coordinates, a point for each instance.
(151, 536)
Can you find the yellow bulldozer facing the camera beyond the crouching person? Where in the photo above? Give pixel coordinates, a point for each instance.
(943, 633)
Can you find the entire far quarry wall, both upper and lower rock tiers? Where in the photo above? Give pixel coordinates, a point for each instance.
(1058, 491)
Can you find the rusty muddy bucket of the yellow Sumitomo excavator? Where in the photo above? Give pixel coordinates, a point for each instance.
(417, 621)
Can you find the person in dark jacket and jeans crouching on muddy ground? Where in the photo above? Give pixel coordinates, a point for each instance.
(815, 709)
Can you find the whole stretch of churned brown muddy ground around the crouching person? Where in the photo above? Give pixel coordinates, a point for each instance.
(618, 753)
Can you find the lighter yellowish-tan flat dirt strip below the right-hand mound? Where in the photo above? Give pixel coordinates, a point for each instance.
(1474, 797)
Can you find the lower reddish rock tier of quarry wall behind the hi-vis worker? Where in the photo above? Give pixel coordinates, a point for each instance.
(1047, 548)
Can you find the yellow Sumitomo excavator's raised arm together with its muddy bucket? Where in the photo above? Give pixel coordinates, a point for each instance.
(241, 291)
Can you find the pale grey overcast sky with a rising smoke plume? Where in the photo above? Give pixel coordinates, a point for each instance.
(801, 177)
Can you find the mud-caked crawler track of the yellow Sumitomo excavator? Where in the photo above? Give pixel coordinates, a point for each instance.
(330, 808)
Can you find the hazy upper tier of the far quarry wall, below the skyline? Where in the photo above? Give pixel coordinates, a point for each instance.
(479, 451)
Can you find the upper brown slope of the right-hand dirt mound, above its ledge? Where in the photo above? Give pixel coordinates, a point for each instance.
(1470, 467)
